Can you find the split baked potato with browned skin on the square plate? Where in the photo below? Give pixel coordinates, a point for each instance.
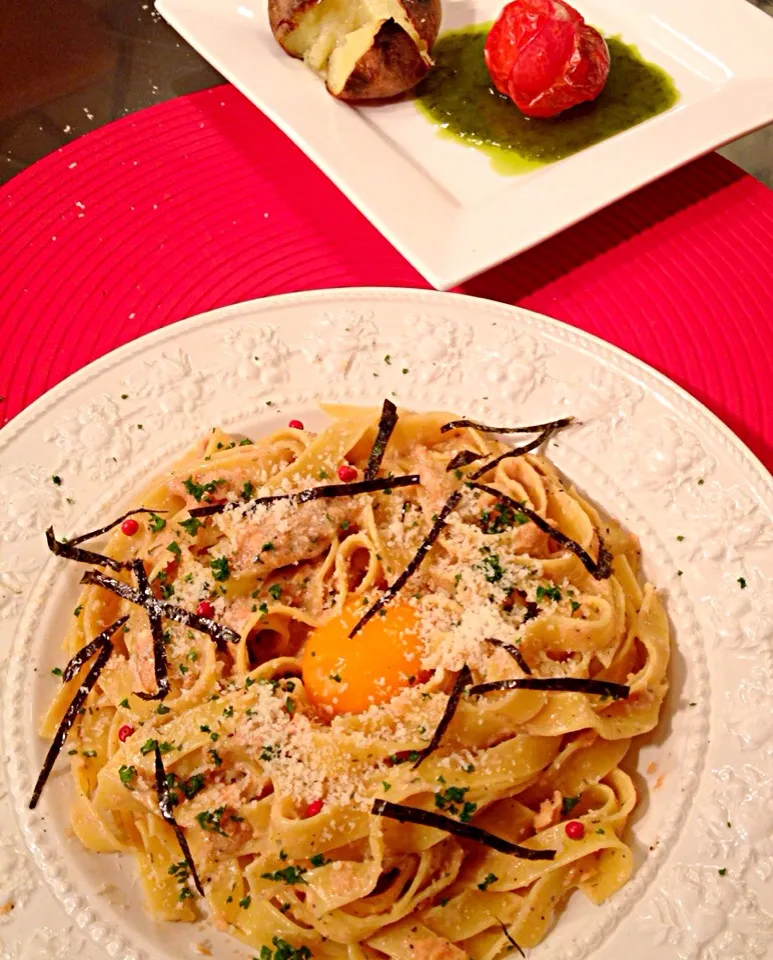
(364, 49)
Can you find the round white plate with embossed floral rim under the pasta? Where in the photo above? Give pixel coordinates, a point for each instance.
(656, 459)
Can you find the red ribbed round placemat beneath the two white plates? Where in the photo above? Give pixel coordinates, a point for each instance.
(202, 202)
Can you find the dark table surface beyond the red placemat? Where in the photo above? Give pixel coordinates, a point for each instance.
(70, 66)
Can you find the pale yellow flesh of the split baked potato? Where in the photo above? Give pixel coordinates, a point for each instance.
(335, 34)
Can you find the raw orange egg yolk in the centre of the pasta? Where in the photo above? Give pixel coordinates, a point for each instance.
(348, 675)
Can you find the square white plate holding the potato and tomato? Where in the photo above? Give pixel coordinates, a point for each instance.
(440, 202)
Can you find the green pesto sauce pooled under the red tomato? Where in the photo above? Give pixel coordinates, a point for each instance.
(459, 96)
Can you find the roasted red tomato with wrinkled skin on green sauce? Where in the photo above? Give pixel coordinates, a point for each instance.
(545, 58)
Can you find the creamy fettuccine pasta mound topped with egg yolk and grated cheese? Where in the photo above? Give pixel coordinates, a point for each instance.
(276, 744)
